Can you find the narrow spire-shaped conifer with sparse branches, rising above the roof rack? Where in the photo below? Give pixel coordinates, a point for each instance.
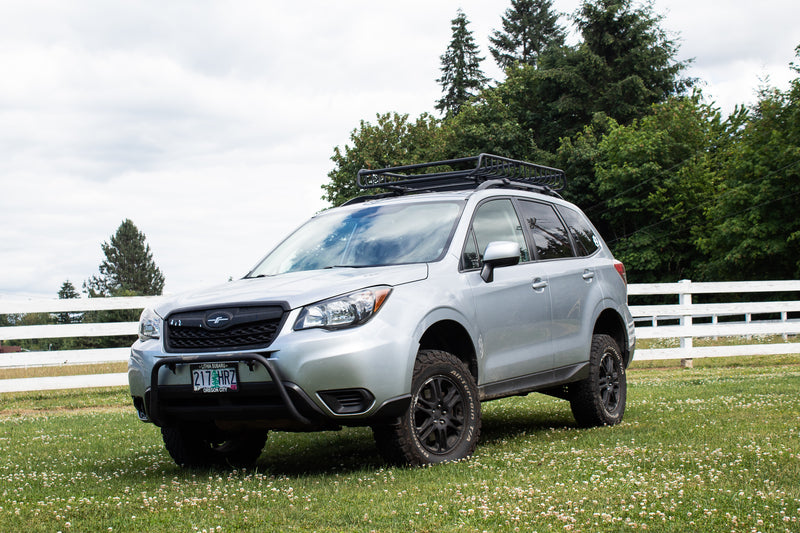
(462, 77)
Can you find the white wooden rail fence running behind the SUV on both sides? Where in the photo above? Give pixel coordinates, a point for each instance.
(682, 320)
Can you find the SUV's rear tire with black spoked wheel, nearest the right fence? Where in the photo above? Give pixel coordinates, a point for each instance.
(599, 399)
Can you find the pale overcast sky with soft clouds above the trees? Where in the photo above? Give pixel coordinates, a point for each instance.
(211, 124)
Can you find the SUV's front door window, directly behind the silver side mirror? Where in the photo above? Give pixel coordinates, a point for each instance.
(496, 220)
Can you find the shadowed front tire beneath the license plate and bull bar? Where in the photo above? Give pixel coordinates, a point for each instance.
(198, 449)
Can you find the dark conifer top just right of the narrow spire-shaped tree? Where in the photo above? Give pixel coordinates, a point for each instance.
(529, 28)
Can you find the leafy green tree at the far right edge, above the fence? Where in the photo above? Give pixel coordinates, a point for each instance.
(753, 227)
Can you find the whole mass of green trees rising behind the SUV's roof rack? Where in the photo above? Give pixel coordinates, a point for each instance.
(675, 188)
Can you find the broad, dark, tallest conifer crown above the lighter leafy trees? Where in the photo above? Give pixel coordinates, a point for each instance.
(625, 64)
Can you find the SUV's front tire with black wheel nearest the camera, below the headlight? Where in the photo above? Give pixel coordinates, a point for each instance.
(443, 420)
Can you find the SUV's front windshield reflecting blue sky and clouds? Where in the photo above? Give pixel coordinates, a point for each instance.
(371, 236)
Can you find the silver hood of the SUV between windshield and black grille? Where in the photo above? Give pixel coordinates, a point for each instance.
(296, 288)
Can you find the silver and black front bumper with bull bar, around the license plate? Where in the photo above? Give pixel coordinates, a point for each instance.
(305, 380)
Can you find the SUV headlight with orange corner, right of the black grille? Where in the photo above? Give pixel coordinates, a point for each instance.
(346, 311)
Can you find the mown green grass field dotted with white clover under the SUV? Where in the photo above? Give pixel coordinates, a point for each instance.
(714, 448)
